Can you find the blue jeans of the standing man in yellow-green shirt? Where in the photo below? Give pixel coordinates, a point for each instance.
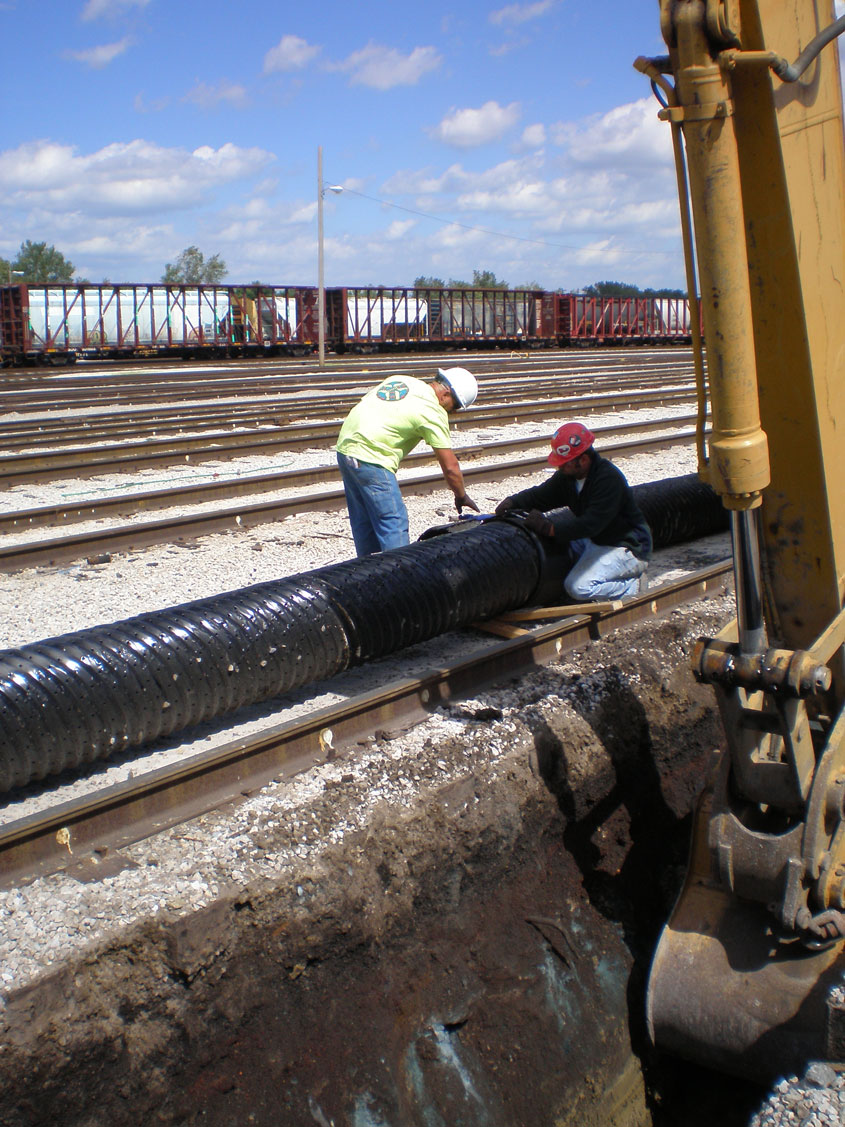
(377, 511)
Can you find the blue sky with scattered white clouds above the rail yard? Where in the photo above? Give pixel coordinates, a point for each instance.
(135, 129)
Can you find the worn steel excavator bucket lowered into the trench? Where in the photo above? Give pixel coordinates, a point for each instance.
(726, 993)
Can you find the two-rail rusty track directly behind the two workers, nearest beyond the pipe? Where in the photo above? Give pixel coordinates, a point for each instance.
(143, 535)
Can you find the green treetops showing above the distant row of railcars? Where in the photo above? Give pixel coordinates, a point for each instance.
(38, 264)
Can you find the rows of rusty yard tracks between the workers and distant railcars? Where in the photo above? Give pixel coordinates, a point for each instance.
(46, 450)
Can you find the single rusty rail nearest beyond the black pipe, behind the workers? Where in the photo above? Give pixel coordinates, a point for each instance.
(144, 535)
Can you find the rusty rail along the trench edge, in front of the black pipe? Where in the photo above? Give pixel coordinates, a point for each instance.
(82, 833)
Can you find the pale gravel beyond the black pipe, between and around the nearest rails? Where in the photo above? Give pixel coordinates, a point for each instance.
(43, 602)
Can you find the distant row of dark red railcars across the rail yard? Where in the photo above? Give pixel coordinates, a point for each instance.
(59, 324)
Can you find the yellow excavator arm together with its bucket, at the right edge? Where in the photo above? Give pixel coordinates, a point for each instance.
(745, 971)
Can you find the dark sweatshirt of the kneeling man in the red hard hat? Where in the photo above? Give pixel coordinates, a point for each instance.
(604, 511)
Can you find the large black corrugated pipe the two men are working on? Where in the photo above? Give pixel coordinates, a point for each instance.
(82, 697)
